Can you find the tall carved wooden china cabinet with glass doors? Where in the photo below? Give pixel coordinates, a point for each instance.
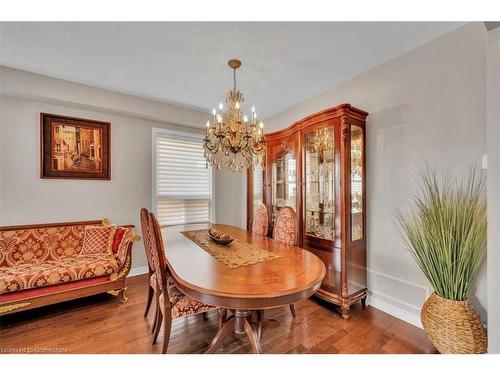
(317, 166)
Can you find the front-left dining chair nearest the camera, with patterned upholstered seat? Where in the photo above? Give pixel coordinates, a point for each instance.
(172, 303)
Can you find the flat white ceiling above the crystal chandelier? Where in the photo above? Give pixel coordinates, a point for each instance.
(185, 63)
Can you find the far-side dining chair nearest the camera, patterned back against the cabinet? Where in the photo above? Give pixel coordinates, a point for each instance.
(283, 232)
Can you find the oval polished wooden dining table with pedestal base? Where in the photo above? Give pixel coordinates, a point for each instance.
(295, 276)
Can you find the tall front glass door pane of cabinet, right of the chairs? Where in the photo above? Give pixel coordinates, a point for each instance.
(319, 183)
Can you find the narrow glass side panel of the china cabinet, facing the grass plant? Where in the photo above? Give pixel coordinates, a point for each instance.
(357, 168)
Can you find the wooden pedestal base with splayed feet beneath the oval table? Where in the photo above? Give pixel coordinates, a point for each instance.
(239, 323)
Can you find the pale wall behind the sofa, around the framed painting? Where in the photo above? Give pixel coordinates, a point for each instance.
(25, 198)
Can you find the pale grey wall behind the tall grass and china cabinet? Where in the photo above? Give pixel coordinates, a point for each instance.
(427, 105)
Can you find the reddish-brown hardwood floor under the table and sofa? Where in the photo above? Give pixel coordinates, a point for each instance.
(101, 324)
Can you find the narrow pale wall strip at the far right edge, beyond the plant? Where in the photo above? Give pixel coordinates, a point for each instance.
(493, 132)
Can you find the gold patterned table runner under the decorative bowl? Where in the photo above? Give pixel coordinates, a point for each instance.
(234, 255)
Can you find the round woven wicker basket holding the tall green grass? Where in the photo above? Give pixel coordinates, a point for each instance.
(454, 327)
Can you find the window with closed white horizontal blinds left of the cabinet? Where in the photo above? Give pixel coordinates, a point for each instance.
(181, 180)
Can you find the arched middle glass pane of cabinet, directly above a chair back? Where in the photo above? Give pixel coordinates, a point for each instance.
(284, 183)
